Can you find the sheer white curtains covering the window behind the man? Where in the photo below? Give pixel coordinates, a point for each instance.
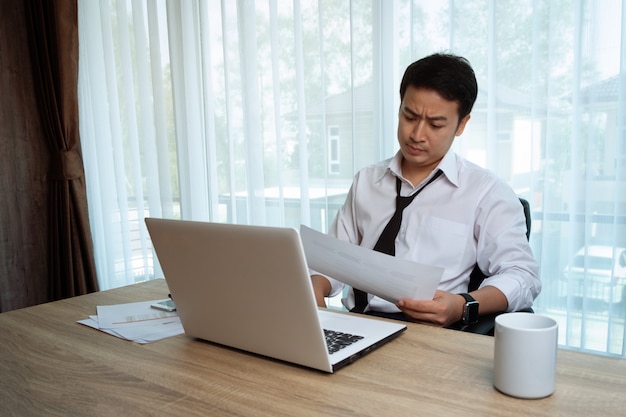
(260, 112)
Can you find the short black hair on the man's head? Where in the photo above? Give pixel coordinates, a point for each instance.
(449, 75)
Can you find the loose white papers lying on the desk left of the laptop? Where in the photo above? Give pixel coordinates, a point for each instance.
(135, 321)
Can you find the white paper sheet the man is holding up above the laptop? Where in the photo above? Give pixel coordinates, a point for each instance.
(377, 273)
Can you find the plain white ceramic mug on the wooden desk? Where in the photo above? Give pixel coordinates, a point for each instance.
(525, 355)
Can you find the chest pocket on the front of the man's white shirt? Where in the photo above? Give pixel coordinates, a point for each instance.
(441, 242)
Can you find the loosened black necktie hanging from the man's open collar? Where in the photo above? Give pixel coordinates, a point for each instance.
(387, 240)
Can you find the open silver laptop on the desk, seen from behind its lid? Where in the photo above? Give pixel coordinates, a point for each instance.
(248, 288)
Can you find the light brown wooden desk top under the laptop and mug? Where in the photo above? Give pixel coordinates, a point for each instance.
(52, 366)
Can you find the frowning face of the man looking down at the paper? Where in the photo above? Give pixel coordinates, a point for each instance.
(427, 126)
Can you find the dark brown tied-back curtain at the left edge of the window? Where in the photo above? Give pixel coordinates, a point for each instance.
(53, 44)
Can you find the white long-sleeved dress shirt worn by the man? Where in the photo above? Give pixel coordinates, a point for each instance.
(466, 216)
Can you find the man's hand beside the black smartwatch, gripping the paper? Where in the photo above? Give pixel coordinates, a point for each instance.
(444, 309)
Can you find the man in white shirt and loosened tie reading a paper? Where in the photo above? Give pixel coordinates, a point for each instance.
(463, 215)
